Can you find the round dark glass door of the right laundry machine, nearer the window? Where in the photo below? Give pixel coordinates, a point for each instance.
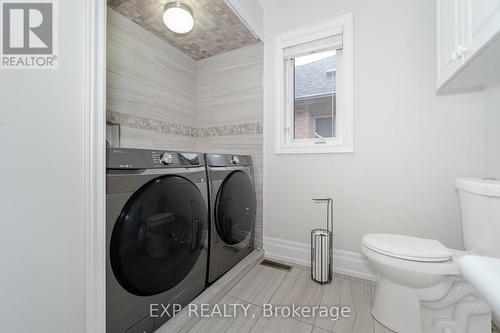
(235, 208)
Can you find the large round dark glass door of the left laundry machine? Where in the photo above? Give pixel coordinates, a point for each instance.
(158, 236)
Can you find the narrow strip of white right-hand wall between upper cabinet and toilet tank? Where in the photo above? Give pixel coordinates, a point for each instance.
(493, 132)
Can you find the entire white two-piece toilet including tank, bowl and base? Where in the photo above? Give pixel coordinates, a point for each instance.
(419, 288)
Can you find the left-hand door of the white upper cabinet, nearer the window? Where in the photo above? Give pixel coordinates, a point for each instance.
(447, 39)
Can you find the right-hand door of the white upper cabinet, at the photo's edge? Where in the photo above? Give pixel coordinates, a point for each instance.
(481, 22)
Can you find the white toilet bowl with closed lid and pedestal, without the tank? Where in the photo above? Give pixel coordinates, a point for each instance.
(419, 286)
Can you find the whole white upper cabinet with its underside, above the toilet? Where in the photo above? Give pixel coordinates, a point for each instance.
(465, 33)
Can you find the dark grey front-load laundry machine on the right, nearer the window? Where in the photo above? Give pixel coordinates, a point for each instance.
(232, 211)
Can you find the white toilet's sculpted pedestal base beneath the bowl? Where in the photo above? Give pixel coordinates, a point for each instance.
(450, 306)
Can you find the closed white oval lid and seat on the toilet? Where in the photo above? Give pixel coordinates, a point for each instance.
(408, 248)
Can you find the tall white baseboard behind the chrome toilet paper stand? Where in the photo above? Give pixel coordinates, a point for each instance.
(345, 262)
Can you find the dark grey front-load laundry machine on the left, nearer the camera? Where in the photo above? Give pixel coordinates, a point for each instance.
(157, 235)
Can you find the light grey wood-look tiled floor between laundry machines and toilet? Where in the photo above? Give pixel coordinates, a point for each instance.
(252, 285)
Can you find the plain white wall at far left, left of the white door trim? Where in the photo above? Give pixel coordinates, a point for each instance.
(41, 191)
